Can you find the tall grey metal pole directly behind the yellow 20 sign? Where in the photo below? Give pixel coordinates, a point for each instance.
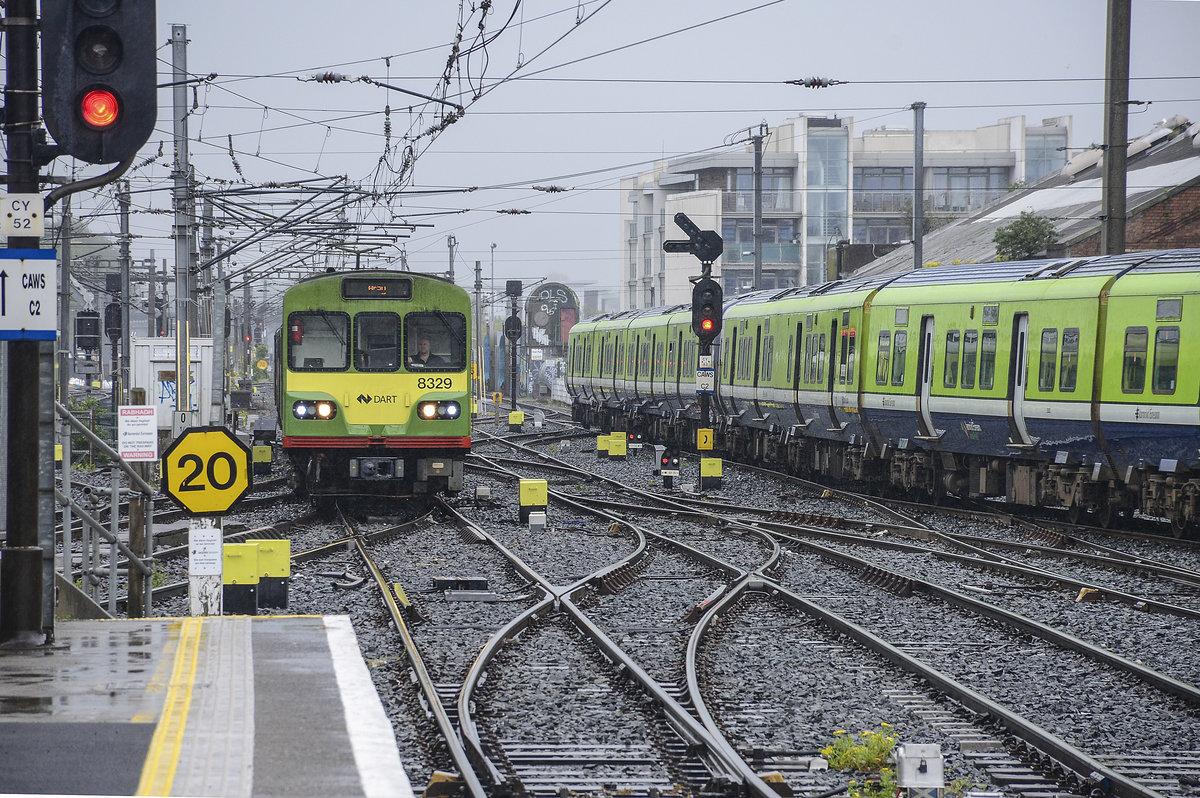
(181, 233)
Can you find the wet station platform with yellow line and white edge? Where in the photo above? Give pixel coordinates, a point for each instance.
(221, 706)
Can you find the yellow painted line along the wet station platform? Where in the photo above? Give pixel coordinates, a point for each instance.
(159, 771)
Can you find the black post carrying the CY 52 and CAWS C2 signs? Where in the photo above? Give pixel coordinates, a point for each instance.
(21, 567)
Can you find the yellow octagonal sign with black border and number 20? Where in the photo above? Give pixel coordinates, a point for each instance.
(207, 470)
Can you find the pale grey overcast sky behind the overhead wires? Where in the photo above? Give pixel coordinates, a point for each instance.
(584, 123)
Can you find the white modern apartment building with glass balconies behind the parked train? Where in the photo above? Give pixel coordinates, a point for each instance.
(820, 185)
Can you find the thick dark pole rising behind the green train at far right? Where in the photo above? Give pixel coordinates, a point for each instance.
(1117, 128)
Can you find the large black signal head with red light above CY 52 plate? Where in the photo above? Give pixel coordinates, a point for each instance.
(100, 77)
